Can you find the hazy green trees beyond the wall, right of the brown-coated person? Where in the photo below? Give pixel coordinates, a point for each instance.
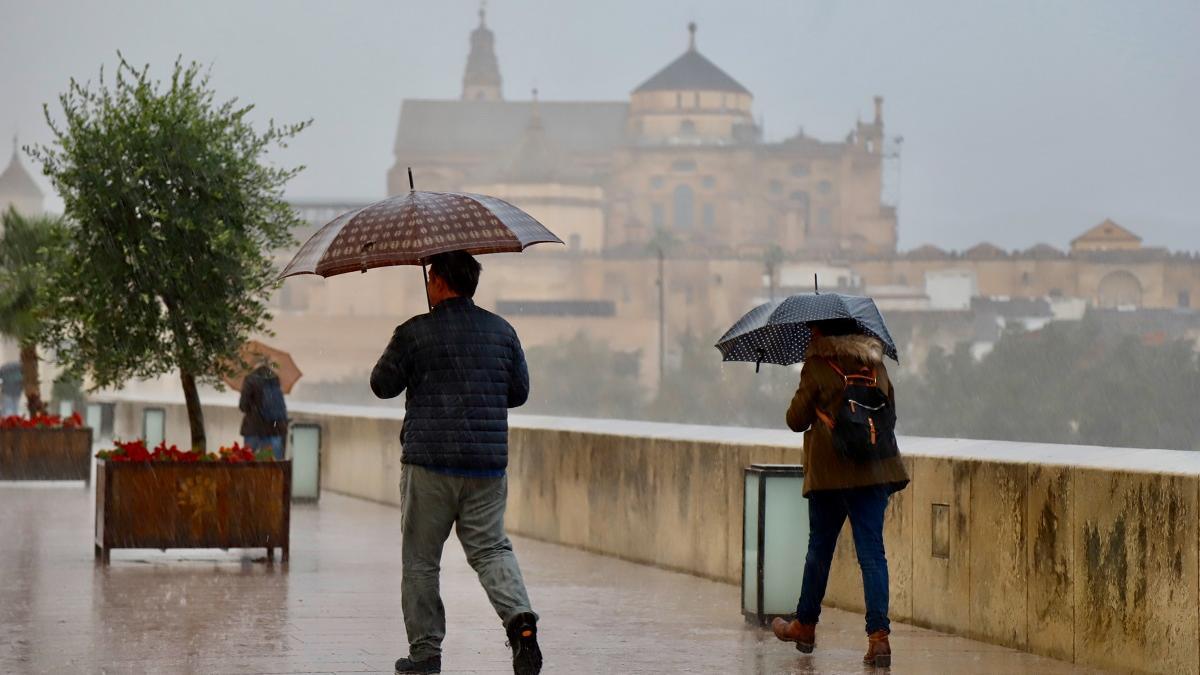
(1066, 384)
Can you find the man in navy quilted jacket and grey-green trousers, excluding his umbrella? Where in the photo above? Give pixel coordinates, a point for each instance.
(463, 368)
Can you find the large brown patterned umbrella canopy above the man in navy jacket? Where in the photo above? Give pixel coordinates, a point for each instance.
(411, 229)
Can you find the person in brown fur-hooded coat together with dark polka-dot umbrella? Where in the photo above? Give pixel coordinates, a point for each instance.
(845, 407)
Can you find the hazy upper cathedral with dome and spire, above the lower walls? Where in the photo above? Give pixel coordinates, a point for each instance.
(682, 157)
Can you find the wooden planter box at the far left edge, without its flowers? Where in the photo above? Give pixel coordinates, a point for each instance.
(46, 455)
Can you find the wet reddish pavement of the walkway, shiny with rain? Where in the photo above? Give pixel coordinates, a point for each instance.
(335, 608)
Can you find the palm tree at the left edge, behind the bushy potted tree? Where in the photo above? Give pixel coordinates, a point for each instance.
(25, 249)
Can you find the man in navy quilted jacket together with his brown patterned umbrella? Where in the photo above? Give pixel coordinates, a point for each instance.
(463, 369)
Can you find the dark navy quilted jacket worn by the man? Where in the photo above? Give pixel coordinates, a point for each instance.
(464, 369)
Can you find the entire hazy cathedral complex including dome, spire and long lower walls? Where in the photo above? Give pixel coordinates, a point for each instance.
(682, 168)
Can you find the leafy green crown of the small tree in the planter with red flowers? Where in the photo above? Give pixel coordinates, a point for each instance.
(176, 212)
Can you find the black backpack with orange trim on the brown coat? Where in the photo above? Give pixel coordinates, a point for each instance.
(865, 428)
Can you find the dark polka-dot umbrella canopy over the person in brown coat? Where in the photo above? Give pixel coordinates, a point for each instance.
(778, 332)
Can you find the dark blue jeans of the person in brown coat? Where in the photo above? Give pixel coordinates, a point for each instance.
(827, 513)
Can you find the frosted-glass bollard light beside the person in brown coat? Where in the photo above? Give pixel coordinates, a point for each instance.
(776, 540)
